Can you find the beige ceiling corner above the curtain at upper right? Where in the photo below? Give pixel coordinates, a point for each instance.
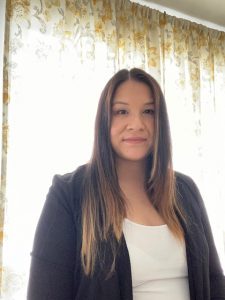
(210, 10)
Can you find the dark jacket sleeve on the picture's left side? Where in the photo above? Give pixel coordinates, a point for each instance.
(53, 256)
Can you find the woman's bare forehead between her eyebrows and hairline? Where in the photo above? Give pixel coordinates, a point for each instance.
(133, 90)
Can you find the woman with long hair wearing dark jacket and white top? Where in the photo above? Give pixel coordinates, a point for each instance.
(125, 225)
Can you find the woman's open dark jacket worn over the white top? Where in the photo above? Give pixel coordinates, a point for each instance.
(56, 272)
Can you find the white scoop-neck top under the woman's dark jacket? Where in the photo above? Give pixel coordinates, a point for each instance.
(158, 262)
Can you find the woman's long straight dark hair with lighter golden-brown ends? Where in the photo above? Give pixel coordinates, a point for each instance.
(103, 203)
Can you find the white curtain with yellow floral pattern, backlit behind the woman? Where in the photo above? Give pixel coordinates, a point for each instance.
(58, 55)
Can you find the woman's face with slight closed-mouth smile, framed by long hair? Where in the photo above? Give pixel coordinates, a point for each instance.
(132, 125)
